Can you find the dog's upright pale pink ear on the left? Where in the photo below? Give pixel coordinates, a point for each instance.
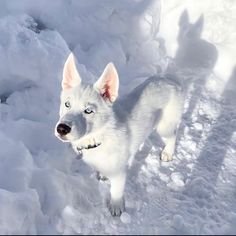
(71, 77)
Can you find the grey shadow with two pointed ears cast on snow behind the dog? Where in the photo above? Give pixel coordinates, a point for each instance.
(194, 55)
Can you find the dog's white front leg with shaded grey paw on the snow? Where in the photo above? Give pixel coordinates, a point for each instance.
(116, 204)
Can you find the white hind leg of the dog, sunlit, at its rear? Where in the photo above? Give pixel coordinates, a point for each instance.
(167, 127)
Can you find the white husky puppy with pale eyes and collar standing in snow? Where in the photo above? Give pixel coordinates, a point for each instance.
(108, 131)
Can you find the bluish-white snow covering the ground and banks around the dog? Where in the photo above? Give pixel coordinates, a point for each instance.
(44, 189)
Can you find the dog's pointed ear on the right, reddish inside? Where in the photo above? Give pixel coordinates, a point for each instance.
(108, 84)
